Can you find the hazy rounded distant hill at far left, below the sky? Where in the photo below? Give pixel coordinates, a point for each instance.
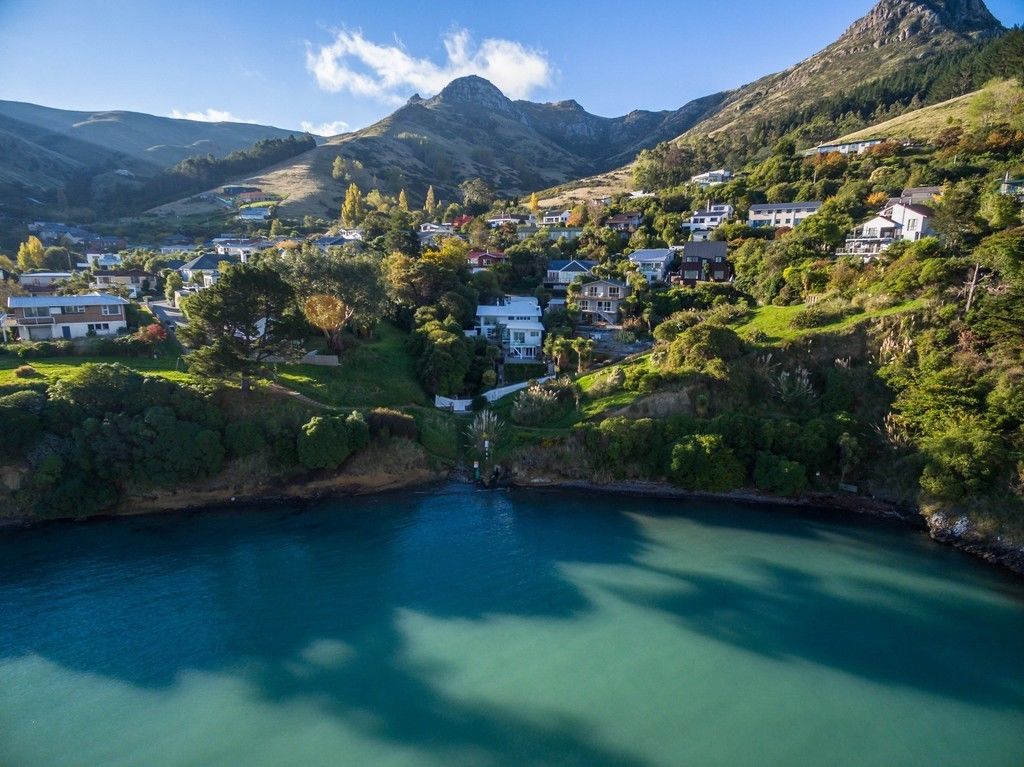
(44, 148)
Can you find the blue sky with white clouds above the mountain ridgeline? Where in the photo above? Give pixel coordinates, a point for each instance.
(329, 66)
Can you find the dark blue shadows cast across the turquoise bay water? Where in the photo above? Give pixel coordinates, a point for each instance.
(142, 601)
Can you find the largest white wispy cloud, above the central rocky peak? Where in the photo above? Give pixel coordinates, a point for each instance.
(388, 73)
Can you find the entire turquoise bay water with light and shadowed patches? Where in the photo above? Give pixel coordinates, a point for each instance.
(463, 628)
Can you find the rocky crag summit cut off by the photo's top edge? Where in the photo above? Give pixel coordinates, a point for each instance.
(897, 21)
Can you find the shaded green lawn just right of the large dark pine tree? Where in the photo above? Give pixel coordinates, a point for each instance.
(379, 372)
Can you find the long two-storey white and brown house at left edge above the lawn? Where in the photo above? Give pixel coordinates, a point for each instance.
(47, 318)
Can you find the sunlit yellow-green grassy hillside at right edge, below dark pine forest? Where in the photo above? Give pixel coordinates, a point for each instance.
(996, 103)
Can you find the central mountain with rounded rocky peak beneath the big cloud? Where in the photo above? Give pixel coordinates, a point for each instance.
(472, 130)
